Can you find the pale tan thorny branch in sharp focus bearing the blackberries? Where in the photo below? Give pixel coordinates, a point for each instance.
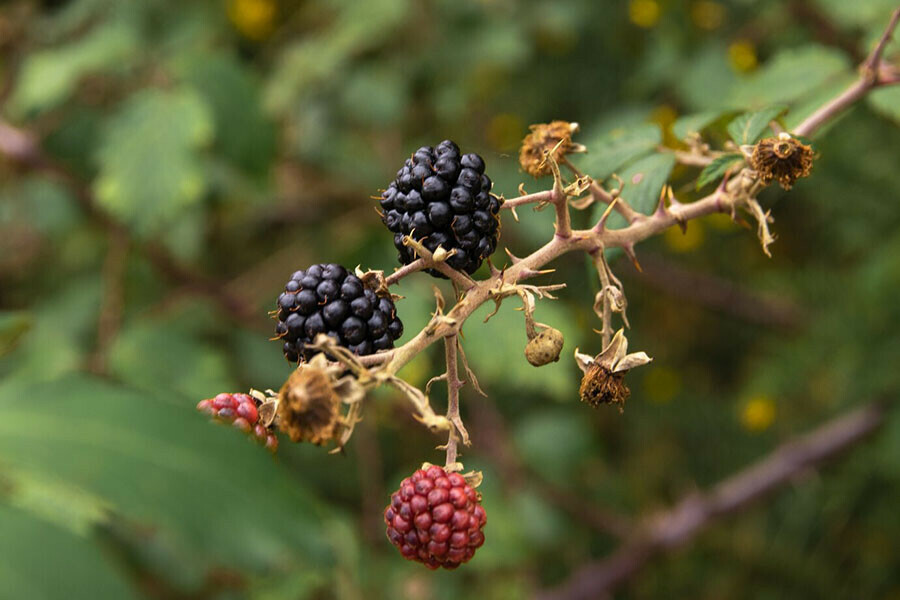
(736, 192)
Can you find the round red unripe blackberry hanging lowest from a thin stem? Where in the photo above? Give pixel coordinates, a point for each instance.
(436, 518)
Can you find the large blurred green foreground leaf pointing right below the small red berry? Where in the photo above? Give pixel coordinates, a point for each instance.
(151, 460)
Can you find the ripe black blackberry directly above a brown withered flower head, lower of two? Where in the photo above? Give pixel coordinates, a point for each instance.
(326, 298)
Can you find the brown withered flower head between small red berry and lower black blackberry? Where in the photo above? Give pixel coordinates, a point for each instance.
(308, 406)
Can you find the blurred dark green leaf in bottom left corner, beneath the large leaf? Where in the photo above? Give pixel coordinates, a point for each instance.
(39, 560)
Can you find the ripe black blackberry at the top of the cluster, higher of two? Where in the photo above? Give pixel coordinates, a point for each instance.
(443, 199)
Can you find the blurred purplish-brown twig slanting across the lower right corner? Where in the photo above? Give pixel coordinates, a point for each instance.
(695, 512)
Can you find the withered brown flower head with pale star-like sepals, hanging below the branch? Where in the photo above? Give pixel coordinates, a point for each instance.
(604, 375)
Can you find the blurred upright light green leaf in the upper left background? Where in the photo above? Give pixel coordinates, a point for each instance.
(149, 165)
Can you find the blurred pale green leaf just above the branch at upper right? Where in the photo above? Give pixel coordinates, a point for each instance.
(790, 75)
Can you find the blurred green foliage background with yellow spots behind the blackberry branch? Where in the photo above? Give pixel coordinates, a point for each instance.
(189, 156)
